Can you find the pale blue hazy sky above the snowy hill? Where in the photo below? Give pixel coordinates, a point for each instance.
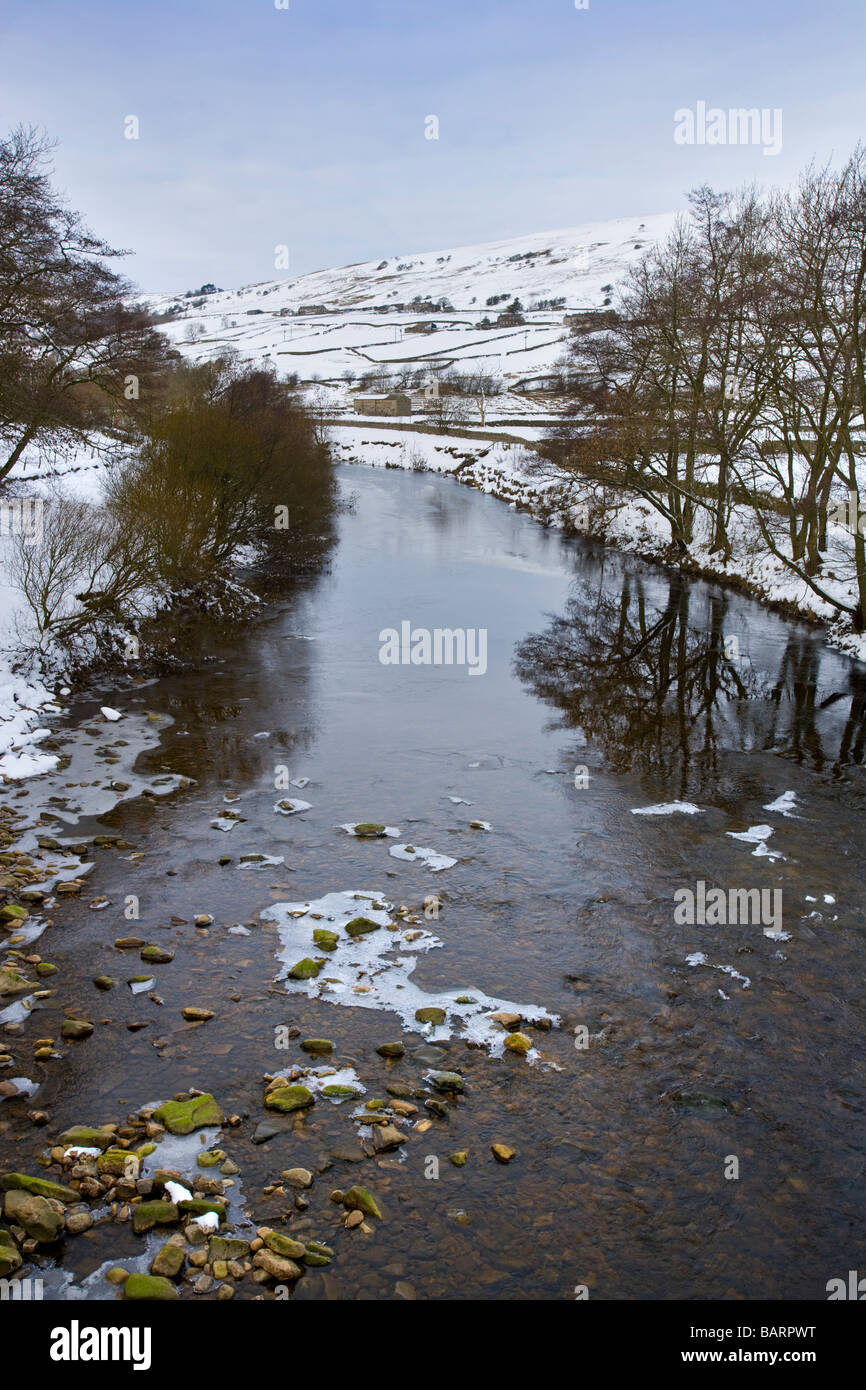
(307, 127)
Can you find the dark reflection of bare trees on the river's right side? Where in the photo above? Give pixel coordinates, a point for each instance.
(657, 675)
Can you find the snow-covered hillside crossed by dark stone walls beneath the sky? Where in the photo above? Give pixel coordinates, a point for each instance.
(366, 312)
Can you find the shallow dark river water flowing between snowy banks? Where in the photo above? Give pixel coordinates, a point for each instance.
(693, 1125)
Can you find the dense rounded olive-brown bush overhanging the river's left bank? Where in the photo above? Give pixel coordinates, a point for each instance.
(230, 464)
